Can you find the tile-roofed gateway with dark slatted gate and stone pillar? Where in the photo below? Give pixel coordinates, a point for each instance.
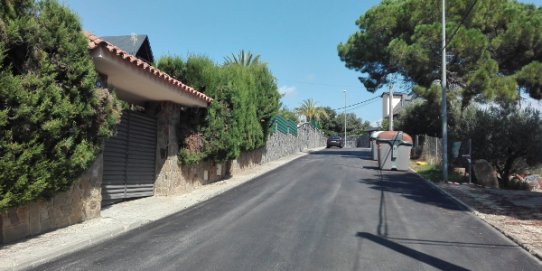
(141, 159)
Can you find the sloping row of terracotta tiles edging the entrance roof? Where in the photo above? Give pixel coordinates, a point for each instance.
(94, 42)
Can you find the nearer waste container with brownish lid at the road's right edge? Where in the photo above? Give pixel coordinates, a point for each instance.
(394, 150)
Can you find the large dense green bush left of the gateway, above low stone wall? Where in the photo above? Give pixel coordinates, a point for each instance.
(52, 118)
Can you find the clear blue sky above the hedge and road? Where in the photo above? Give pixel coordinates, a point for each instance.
(297, 38)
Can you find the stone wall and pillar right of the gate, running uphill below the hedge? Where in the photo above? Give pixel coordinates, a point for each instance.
(175, 179)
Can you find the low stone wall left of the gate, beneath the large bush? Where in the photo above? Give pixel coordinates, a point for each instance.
(81, 202)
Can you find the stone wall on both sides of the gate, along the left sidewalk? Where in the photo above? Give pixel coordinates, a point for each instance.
(83, 200)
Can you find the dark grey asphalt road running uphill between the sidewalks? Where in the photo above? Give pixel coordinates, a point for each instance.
(330, 210)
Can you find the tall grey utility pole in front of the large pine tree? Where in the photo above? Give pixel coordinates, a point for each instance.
(443, 109)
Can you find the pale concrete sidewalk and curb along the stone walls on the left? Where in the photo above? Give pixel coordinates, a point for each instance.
(116, 227)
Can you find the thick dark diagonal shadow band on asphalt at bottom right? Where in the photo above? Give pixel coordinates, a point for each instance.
(425, 258)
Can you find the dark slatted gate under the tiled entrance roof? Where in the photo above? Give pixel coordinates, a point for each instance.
(129, 159)
